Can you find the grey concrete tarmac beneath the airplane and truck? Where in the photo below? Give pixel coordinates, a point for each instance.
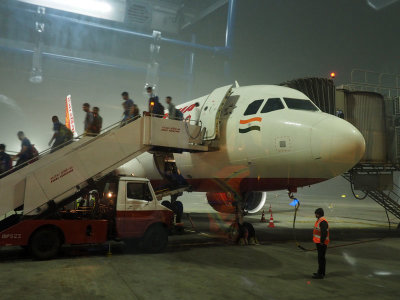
(362, 260)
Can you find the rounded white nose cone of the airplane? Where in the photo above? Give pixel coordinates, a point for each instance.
(338, 144)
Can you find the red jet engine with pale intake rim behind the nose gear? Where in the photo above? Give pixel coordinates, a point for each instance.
(224, 202)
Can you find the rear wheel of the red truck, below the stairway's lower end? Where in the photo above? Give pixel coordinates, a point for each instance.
(45, 243)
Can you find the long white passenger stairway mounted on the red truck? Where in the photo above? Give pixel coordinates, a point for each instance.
(57, 176)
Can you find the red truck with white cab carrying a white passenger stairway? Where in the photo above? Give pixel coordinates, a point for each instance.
(70, 197)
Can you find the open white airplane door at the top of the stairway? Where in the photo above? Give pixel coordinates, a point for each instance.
(211, 110)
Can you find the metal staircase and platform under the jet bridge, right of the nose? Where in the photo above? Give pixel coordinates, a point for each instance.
(376, 181)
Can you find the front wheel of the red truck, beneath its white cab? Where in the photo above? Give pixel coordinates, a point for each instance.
(155, 239)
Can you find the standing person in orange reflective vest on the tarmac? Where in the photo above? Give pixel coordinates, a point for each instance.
(321, 240)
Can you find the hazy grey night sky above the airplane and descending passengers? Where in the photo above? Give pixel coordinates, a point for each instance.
(274, 41)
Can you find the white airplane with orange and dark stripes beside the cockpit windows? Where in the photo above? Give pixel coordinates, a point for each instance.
(262, 138)
